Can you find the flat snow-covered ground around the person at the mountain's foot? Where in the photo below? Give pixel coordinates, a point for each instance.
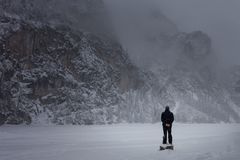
(119, 142)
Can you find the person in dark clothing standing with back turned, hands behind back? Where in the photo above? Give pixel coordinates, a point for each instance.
(167, 119)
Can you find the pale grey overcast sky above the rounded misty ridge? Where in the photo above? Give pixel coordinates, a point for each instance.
(219, 18)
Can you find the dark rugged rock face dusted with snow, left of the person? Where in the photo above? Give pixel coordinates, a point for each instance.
(66, 77)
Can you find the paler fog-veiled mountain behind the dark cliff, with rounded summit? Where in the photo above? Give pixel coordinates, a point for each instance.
(184, 63)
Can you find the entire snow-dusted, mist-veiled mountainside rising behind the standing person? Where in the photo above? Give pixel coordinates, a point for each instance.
(98, 62)
